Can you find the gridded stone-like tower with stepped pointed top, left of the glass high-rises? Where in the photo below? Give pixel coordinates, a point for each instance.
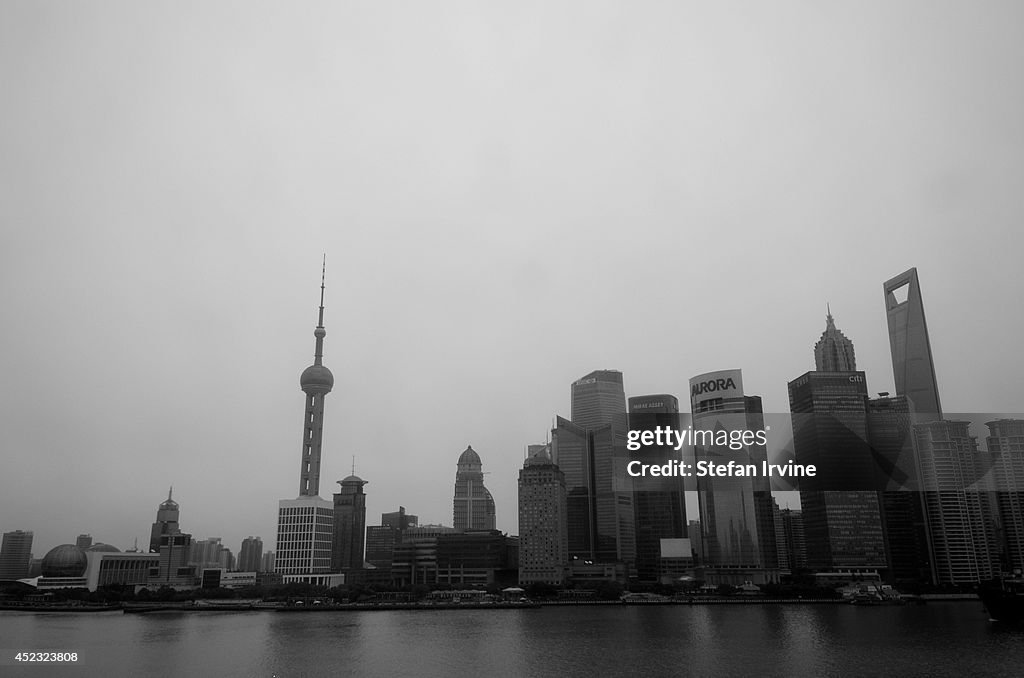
(543, 539)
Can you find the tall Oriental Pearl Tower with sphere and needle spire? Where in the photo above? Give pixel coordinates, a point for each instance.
(317, 382)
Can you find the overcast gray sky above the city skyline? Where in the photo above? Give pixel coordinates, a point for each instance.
(509, 196)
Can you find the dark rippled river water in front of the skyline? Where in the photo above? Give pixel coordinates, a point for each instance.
(937, 640)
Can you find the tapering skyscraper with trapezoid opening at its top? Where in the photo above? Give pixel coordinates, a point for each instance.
(914, 368)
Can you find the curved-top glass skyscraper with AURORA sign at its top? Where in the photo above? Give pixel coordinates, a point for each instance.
(737, 521)
